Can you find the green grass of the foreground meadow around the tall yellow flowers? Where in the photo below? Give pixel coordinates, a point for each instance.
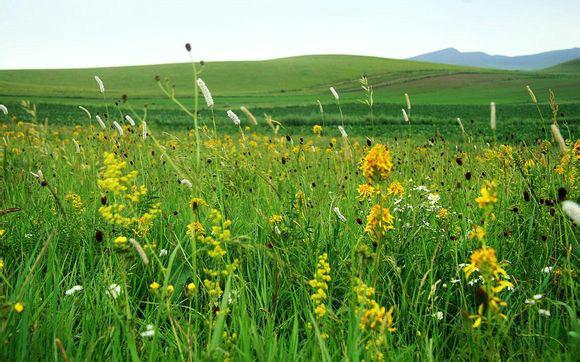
(50, 245)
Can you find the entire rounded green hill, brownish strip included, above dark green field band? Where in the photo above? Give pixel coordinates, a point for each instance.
(291, 81)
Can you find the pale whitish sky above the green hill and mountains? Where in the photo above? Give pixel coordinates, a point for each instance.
(77, 34)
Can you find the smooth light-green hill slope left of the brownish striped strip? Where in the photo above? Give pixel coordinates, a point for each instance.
(304, 74)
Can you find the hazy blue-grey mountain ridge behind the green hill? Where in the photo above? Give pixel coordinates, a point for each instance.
(480, 59)
